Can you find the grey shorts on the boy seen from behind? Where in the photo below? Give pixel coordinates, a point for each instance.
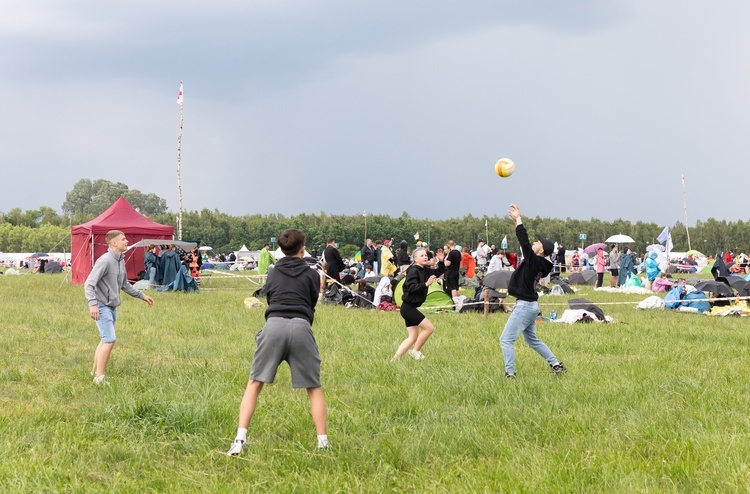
(291, 340)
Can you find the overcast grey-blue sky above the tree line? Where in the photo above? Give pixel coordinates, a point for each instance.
(341, 106)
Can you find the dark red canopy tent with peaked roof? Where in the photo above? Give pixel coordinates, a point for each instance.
(88, 239)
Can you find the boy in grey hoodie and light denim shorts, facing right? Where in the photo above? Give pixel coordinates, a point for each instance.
(102, 288)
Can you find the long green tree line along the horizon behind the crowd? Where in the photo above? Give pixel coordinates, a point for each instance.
(45, 229)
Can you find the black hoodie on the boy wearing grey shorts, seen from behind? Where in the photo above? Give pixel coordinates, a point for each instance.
(292, 289)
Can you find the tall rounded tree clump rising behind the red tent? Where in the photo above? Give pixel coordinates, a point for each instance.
(89, 199)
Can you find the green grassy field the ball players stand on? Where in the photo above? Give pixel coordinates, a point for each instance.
(656, 402)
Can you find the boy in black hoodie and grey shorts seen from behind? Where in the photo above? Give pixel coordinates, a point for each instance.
(292, 292)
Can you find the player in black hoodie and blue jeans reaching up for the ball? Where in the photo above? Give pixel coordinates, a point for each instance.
(522, 285)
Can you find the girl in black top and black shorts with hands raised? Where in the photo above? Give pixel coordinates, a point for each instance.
(418, 279)
